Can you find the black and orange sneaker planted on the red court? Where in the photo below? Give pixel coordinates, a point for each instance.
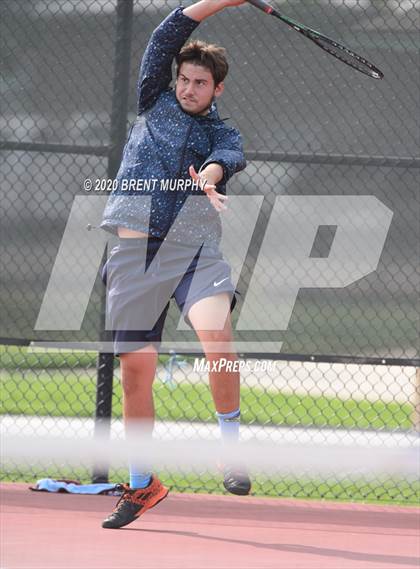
(133, 503)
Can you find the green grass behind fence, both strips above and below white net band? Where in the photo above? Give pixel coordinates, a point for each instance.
(64, 384)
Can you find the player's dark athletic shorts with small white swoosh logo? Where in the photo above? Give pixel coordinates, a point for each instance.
(142, 275)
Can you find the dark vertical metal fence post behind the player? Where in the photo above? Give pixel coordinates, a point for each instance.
(121, 82)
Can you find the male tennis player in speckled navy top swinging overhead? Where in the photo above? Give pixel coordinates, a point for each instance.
(178, 149)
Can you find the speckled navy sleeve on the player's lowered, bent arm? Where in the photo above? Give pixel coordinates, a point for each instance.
(227, 151)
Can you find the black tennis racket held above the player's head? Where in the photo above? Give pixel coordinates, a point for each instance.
(332, 47)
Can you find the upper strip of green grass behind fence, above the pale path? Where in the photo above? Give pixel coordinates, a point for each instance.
(67, 393)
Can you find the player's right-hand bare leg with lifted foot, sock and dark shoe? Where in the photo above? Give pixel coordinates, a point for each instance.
(210, 318)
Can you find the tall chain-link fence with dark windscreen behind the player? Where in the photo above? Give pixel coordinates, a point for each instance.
(336, 361)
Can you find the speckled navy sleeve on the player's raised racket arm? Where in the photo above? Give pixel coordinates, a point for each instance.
(164, 45)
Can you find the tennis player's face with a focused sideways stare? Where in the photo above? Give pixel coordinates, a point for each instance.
(195, 88)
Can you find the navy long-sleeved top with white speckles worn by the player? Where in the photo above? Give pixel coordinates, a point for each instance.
(163, 142)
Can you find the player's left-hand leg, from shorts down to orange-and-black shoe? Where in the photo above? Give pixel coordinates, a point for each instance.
(130, 296)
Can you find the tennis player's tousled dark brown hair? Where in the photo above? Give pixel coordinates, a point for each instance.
(208, 55)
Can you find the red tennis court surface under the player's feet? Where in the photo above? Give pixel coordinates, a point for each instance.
(185, 531)
